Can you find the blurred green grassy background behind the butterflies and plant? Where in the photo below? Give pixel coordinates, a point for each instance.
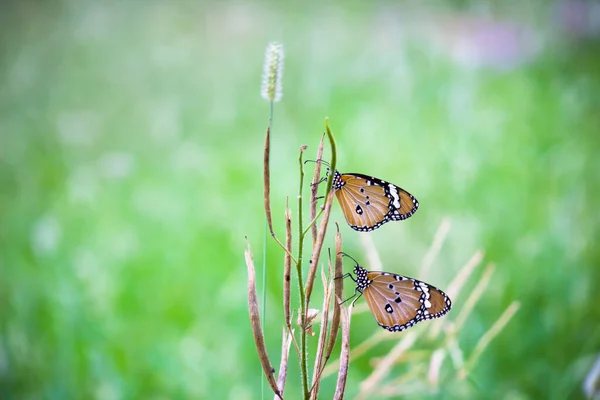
(130, 172)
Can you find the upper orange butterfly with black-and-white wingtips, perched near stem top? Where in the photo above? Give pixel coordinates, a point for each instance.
(368, 202)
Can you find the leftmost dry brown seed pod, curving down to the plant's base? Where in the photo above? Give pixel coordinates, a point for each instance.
(259, 338)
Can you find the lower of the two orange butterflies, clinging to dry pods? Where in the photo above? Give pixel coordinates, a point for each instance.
(398, 302)
